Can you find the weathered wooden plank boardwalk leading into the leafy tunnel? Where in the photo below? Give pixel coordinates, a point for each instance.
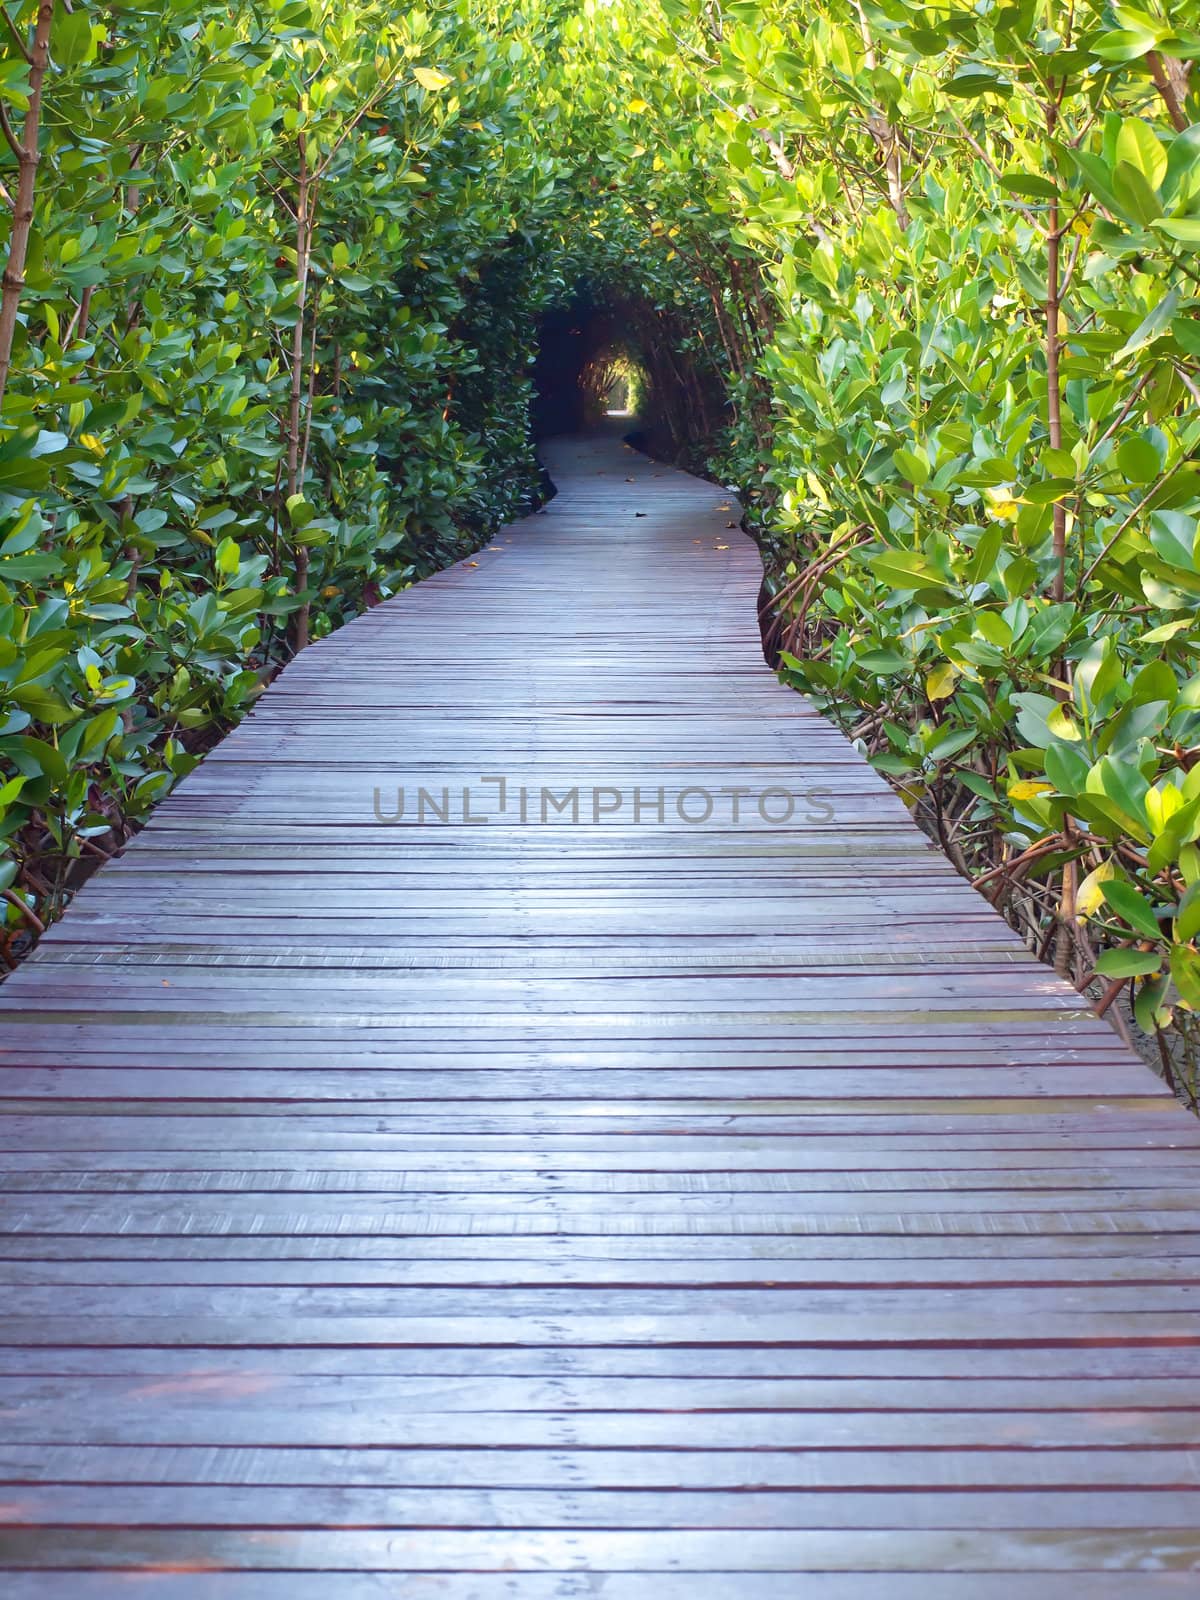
(601, 1207)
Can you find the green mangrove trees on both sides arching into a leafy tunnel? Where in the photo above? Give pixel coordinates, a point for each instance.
(292, 289)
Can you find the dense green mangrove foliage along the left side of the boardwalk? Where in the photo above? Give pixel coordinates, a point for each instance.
(270, 306)
